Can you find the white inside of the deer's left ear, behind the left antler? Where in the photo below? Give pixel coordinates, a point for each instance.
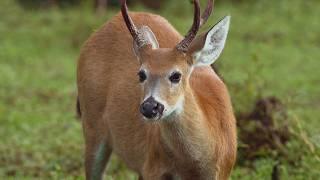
(147, 37)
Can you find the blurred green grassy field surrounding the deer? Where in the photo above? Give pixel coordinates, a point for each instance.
(272, 50)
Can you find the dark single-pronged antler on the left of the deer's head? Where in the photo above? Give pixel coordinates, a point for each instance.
(130, 25)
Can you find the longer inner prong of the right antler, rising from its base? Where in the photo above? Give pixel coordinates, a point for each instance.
(184, 44)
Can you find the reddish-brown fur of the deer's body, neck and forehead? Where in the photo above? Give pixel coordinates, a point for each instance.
(198, 144)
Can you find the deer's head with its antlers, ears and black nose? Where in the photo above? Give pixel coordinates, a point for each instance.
(164, 72)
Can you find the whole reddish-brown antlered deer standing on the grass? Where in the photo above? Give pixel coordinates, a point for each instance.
(149, 96)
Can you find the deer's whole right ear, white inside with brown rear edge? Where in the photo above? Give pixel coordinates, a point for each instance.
(206, 48)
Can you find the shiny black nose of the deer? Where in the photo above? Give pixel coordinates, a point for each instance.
(150, 108)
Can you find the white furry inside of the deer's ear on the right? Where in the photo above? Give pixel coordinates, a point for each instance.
(214, 43)
